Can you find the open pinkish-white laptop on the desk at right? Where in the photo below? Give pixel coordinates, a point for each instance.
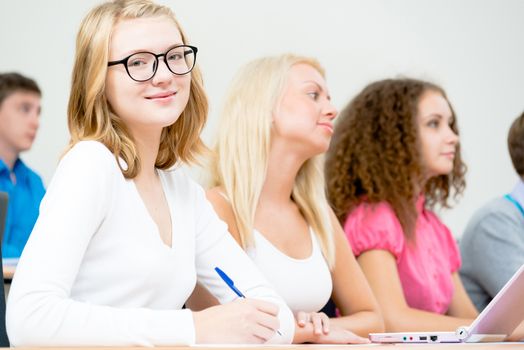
(497, 321)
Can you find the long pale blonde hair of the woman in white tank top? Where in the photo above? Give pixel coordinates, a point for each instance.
(241, 151)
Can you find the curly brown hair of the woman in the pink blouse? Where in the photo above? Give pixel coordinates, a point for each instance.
(374, 154)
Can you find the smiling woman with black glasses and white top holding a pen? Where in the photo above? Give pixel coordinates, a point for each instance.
(123, 234)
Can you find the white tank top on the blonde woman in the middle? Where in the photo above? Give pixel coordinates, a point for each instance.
(305, 284)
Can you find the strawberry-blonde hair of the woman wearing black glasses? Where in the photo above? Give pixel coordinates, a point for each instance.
(90, 116)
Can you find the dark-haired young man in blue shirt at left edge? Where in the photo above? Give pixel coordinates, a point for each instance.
(19, 121)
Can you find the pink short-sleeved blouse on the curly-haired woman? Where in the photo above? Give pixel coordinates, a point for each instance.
(424, 268)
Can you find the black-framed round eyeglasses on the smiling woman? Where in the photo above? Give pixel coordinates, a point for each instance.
(142, 66)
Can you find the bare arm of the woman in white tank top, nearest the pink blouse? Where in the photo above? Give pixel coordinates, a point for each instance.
(351, 292)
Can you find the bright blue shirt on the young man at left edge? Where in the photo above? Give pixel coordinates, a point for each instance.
(22, 210)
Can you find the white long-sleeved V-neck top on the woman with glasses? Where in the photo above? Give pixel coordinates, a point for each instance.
(96, 272)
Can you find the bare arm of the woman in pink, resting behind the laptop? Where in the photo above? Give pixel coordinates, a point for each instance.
(380, 268)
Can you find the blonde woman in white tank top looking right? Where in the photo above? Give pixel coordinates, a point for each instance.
(269, 188)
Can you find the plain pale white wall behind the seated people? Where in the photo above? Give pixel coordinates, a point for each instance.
(473, 48)
